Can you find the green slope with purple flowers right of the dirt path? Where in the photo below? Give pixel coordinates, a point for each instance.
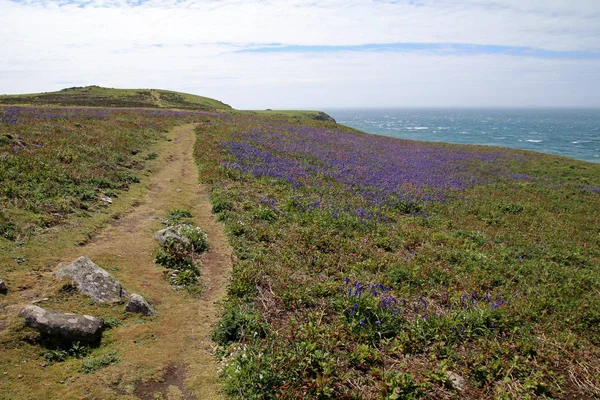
(370, 267)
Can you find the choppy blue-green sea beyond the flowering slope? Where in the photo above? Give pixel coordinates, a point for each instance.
(573, 133)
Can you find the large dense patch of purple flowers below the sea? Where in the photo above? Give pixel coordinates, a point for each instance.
(385, 172)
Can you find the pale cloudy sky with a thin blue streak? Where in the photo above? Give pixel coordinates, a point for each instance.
(256, 54)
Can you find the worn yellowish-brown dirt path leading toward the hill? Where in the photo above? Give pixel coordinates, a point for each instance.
(170, 354)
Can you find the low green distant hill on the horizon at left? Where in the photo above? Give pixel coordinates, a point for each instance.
(96, 96)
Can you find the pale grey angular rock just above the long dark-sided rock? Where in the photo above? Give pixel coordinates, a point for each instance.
(93, 281)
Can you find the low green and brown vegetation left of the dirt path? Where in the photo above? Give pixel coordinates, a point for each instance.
(59, 162)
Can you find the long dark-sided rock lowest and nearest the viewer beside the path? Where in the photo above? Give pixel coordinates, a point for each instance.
(64, 327)
